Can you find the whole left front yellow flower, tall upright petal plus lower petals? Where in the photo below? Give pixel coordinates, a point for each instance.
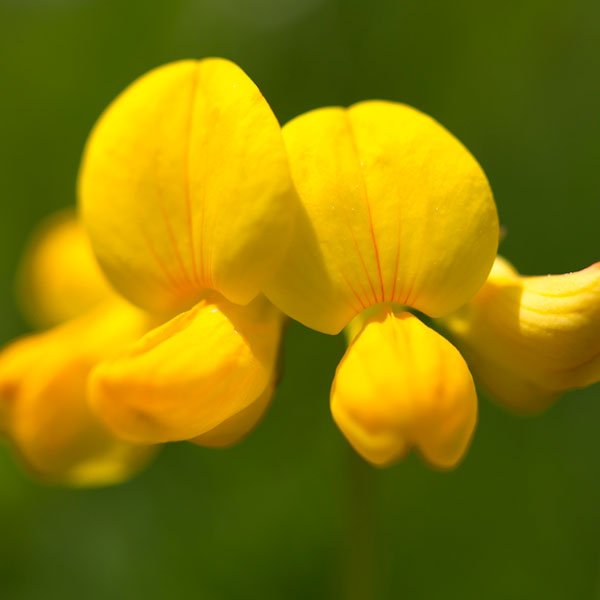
(186, 193)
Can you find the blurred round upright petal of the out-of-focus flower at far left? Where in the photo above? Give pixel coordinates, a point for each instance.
(59, 278)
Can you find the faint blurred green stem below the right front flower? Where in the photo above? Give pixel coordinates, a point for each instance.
(360, 568)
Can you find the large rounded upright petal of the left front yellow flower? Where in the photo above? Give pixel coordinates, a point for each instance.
(185, 186)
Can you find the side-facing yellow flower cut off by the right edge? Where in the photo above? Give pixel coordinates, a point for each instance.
(528, 339)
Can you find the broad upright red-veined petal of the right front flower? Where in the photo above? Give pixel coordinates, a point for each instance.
(394, 207)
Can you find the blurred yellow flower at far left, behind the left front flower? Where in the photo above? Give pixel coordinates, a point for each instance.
(43, 377)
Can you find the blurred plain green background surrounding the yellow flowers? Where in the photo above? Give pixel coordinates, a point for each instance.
(518, 82)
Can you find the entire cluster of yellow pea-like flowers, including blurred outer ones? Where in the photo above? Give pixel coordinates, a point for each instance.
(211, 225)
